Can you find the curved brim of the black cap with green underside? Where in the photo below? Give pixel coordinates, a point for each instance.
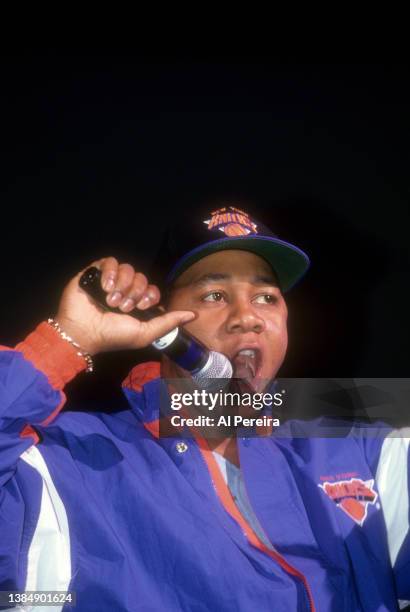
(288, 261)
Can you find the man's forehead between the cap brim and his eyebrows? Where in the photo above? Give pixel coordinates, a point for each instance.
(233, 264)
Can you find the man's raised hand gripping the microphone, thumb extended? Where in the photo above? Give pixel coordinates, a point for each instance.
(96, 330)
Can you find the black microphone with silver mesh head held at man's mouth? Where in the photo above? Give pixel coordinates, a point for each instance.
(205, 366)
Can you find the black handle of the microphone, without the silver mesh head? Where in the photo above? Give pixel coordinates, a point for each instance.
(178, 344)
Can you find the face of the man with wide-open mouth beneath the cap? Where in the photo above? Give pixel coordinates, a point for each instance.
(239, 307)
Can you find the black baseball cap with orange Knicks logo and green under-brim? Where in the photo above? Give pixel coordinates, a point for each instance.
(228, 227)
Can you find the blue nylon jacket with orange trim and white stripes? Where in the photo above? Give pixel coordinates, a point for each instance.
(99, 504)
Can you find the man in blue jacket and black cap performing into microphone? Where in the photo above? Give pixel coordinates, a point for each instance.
(129, 520)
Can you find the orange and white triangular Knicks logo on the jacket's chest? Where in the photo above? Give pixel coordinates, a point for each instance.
(352, 496)
